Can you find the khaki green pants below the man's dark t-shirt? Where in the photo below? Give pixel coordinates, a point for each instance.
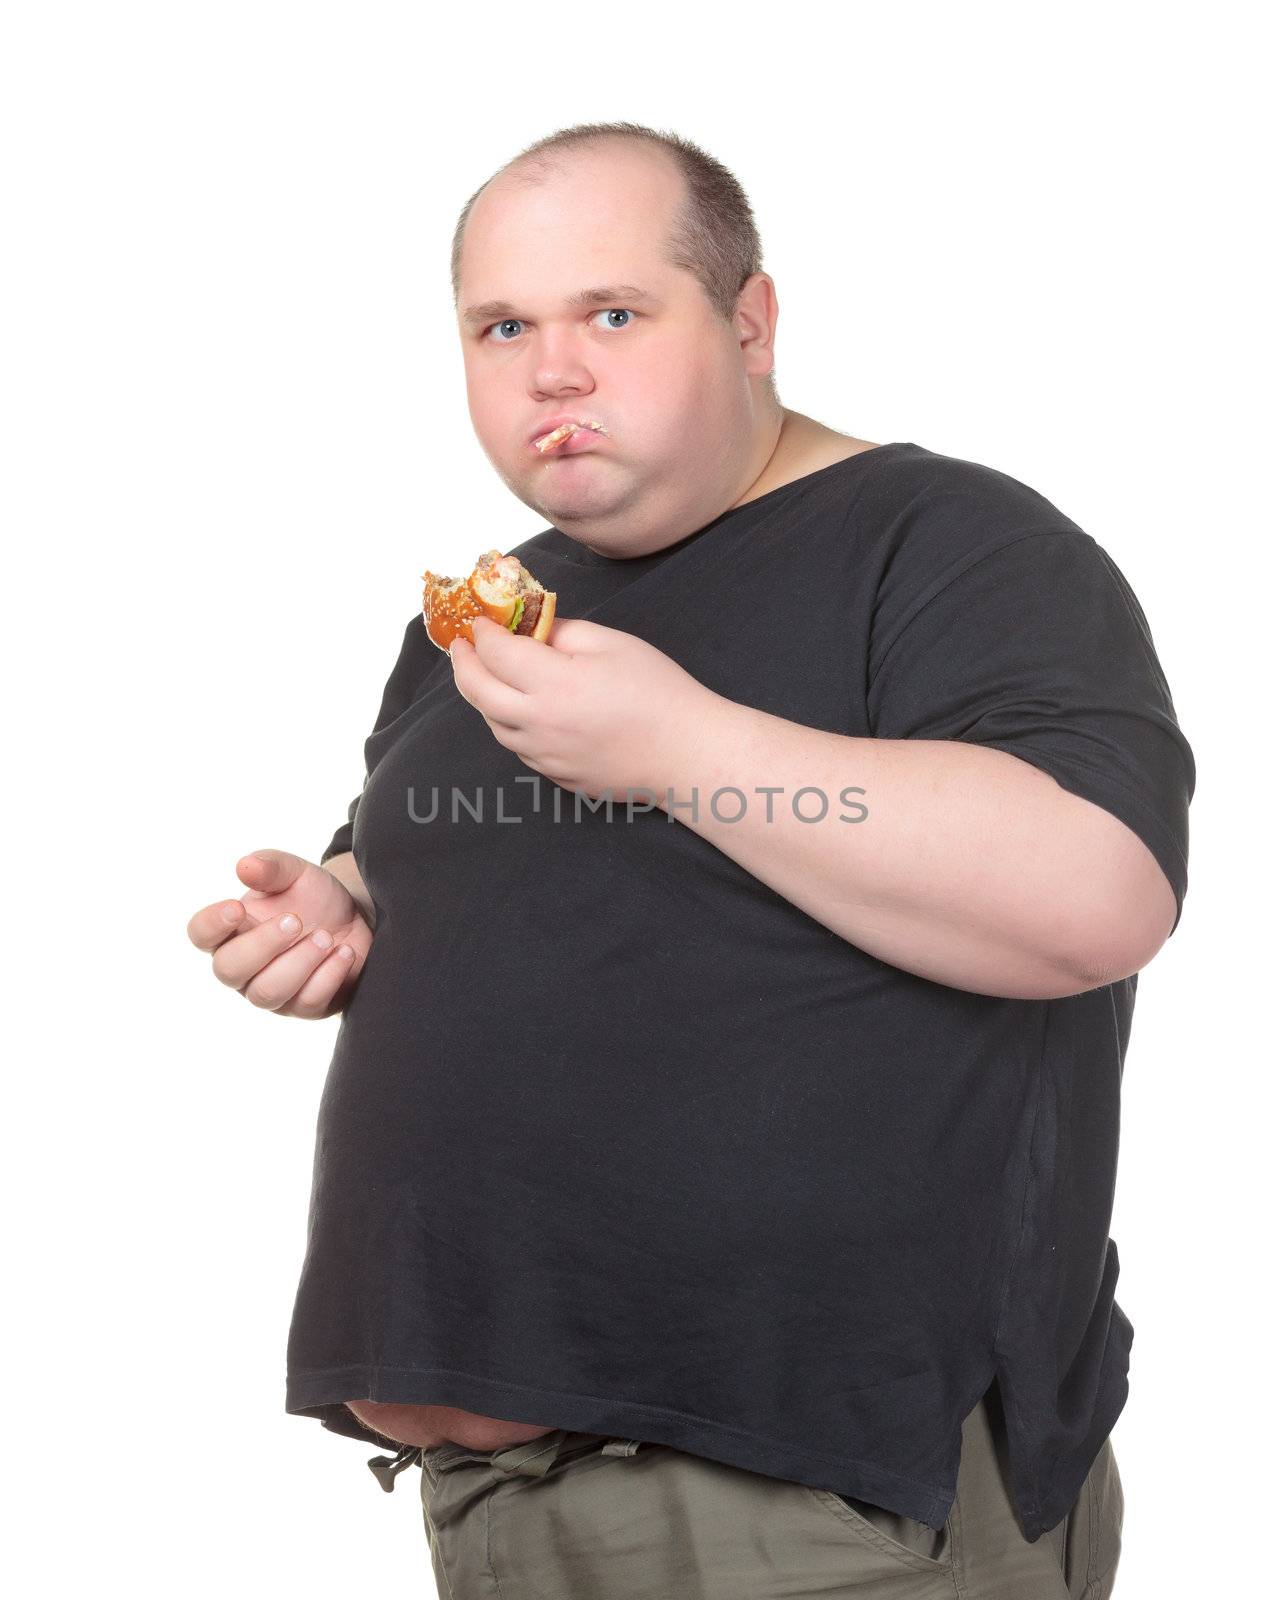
(588, 1518)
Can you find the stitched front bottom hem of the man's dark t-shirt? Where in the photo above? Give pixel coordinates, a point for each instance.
(315, 1393)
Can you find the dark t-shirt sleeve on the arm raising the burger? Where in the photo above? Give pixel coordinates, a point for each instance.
(1041, 649)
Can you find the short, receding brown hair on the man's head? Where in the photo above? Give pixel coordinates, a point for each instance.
(713, 236)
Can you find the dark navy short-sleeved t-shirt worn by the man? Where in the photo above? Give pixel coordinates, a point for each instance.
(619, 1140)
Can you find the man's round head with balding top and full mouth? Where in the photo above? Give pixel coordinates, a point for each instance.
(681, 378)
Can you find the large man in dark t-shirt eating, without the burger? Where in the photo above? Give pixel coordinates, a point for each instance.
(715, 1169)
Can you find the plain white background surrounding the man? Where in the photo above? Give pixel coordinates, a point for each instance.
(235, 434)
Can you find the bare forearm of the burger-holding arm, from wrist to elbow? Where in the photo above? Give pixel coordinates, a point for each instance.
(971, 866)
